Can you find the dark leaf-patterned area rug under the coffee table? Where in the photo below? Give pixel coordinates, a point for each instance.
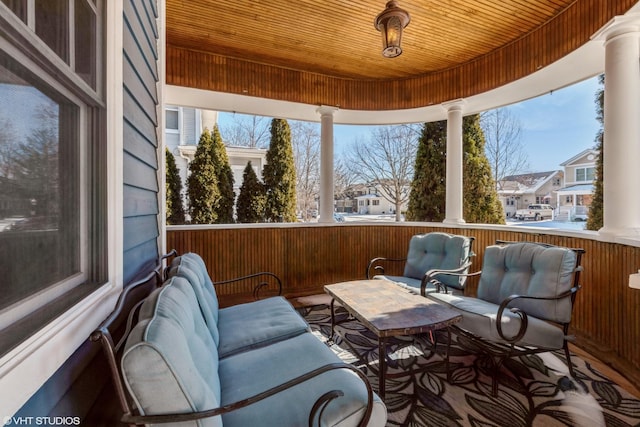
(533, 391)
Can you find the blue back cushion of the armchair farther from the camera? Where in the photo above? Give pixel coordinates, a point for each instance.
(437, 250)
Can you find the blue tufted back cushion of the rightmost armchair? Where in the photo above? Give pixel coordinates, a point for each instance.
(532, 270)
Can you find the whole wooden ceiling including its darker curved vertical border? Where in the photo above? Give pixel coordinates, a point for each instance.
(335, 41)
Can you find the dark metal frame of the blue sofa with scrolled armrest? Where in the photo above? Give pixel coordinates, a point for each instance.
(113, 353)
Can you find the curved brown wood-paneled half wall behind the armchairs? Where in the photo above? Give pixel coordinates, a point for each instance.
(606, 315)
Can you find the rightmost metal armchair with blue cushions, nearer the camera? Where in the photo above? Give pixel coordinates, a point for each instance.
(524, 301)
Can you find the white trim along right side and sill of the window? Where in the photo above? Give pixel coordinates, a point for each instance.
(28, 366)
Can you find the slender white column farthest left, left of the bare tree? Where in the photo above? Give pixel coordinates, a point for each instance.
(326, 164)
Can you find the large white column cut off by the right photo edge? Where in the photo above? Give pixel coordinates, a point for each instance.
(621, 207)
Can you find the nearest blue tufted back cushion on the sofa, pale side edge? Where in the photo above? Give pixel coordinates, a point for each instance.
(170, 362)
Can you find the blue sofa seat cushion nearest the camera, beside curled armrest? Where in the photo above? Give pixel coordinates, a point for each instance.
(251, 372)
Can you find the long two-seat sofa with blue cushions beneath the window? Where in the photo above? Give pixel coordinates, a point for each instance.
(187, 362)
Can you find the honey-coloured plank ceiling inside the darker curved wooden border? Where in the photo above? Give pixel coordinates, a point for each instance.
(337, 37)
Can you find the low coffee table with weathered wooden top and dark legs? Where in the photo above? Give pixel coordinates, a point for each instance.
(389, 311)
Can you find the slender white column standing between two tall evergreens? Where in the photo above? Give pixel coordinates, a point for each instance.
(453, 208)
